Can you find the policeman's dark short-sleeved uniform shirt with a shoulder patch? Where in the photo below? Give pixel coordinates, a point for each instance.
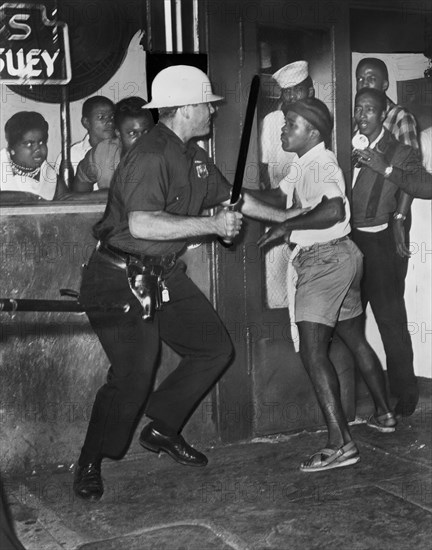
(160, 172)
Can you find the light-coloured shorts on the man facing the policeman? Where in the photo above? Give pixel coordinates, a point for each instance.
(328, 284)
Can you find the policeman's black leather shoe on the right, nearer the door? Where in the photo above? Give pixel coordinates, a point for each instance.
(175, 446)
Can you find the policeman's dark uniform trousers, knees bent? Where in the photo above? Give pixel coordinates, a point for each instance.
(188, 323)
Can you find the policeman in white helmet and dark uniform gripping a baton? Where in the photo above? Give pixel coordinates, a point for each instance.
(156, 198)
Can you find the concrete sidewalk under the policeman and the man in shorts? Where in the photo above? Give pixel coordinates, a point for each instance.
(250, 496)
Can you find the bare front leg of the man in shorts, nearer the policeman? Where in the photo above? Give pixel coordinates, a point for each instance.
(314, 344)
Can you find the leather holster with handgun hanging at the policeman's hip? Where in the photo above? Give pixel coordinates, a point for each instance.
(147, 284)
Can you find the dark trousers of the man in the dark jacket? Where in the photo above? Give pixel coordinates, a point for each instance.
(383, 286)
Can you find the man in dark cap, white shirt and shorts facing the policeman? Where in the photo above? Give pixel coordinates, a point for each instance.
(325, 270)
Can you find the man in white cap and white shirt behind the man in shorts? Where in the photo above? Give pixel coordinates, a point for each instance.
(295, 83)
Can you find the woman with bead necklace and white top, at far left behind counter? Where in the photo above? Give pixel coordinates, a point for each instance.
(25, 173)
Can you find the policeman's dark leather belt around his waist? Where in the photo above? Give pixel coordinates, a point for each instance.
(157, 265)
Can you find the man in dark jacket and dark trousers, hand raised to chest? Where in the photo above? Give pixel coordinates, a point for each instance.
(380, 166)
